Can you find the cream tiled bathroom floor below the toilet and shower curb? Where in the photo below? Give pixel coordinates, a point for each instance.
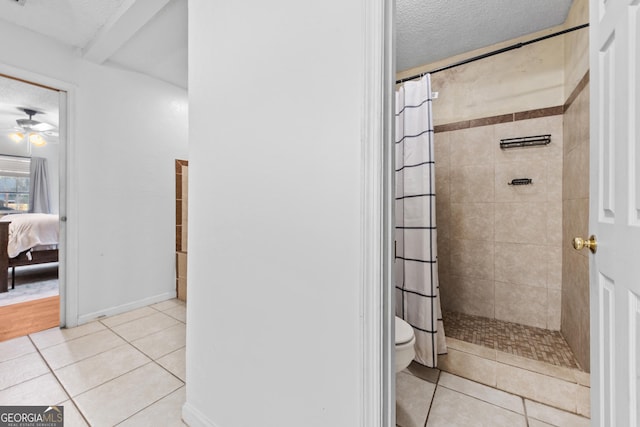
(428, 397)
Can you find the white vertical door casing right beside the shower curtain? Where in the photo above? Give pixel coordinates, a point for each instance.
(377, 332)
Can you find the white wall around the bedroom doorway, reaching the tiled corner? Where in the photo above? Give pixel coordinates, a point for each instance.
(128, 129)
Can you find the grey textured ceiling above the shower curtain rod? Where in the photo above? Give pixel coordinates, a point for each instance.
(430, 30)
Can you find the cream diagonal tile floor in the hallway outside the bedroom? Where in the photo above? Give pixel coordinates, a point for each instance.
(127, 369)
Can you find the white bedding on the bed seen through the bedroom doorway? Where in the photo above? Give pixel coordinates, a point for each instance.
(28, 231)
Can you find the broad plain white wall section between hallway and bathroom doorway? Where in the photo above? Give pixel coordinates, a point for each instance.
(274, 249)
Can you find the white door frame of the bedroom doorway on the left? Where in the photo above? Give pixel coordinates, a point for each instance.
(68, 208)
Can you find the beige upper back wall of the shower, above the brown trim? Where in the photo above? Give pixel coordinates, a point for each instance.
(496, 86)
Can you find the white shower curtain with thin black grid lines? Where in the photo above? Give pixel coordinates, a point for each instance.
(416, 268)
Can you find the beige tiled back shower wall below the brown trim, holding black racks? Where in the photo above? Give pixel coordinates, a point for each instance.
(500, 246)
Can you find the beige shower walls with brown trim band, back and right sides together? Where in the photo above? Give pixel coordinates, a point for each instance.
(504, 251)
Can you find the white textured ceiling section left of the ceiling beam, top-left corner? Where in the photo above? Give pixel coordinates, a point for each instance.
(72, 22)
